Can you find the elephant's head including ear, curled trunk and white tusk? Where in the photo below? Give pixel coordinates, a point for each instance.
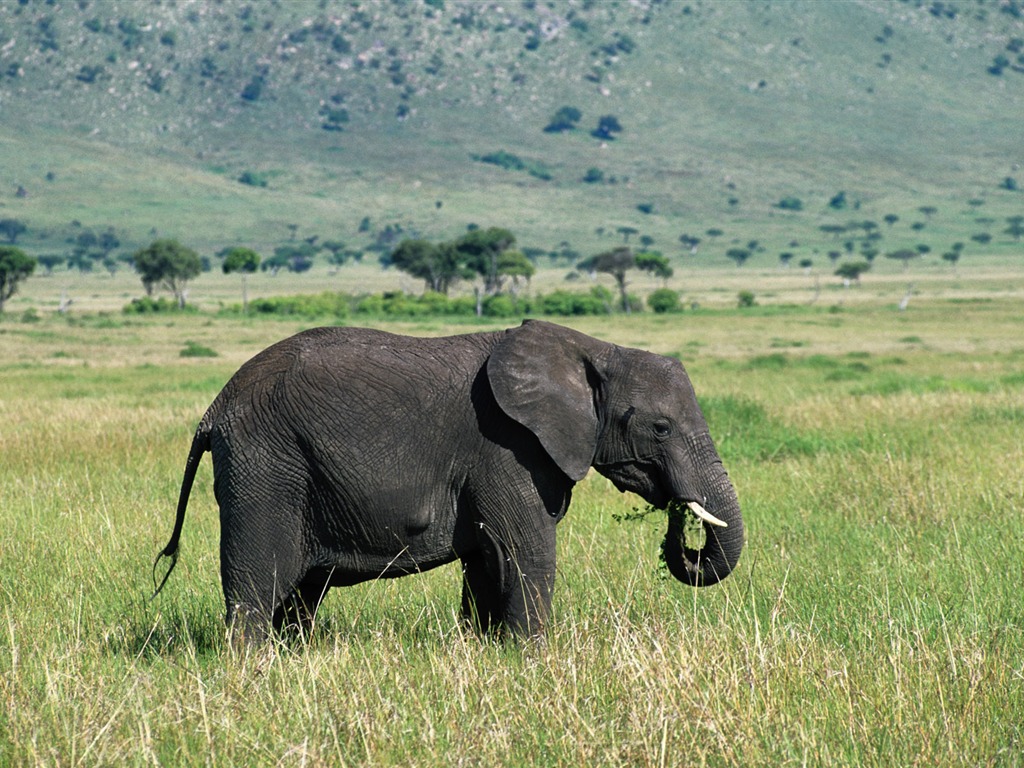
(634, 417)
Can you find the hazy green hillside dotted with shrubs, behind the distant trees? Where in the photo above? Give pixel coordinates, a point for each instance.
(413, 117)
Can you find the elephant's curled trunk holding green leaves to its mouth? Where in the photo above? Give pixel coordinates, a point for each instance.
(722, 544)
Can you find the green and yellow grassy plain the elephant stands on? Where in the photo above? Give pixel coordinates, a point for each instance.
(875, 618)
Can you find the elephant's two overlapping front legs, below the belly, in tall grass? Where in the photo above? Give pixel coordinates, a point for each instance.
(508, 583)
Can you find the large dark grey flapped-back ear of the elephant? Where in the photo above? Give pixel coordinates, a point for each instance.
(544, 376)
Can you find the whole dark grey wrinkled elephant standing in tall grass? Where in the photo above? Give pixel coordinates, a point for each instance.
(347, 455)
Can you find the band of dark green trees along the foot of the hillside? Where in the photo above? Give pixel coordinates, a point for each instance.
(489, 260)
